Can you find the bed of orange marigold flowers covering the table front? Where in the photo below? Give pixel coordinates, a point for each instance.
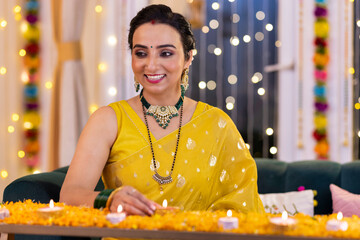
(202, 221)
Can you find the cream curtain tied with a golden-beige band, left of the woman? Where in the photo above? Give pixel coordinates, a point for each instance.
(69, 104)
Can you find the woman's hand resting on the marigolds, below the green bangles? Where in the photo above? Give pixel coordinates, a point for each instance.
(133, 202)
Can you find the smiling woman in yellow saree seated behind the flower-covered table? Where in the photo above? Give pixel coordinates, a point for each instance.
(161, 145)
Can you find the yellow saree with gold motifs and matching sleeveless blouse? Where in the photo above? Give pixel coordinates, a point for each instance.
(213, 169)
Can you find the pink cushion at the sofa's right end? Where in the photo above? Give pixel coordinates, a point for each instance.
(344, 201)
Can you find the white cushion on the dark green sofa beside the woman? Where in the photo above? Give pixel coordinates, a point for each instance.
(292, 202)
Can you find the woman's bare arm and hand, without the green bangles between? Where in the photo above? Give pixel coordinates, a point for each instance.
(87, 165)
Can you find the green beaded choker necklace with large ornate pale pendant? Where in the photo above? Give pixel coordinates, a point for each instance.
(162, 114)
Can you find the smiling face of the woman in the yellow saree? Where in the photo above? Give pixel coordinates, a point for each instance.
(158, 58)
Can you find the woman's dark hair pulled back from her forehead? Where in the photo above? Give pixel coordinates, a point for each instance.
(159, 13)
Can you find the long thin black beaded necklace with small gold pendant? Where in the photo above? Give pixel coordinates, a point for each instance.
(157, 177)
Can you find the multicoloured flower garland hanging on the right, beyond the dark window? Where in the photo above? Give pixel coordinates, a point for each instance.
(321, 60)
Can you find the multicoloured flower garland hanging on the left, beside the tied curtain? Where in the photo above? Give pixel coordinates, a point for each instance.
(31, 89)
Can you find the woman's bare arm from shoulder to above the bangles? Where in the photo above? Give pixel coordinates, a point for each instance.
(90, 157)
